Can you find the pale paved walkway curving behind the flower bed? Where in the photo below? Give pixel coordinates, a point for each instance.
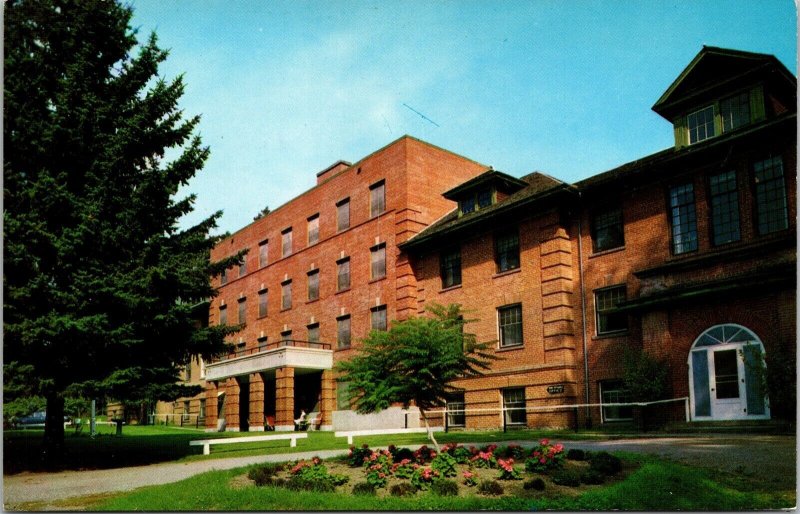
(763, 455)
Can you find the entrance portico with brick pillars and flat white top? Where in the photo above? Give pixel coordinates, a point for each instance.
(267, 387)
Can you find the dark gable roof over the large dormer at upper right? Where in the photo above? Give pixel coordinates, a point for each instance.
(713, 67)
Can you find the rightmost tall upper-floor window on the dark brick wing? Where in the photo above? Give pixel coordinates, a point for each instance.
(770, 196)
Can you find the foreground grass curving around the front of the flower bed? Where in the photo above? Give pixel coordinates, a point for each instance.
(655, 485)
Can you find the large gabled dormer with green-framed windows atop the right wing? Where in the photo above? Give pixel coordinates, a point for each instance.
(722, 91)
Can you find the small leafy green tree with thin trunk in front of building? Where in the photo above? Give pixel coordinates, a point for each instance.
(415, 361)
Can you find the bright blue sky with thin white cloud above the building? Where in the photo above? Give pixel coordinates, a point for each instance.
(285, 88)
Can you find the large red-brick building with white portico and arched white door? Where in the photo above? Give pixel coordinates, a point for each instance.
(688, 254)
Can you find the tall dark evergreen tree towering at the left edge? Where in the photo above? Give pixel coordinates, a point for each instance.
(101, 286)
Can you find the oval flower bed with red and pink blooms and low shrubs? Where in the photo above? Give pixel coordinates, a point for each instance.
(488, 470)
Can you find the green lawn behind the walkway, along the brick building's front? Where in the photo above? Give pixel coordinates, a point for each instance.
(141, 445)
